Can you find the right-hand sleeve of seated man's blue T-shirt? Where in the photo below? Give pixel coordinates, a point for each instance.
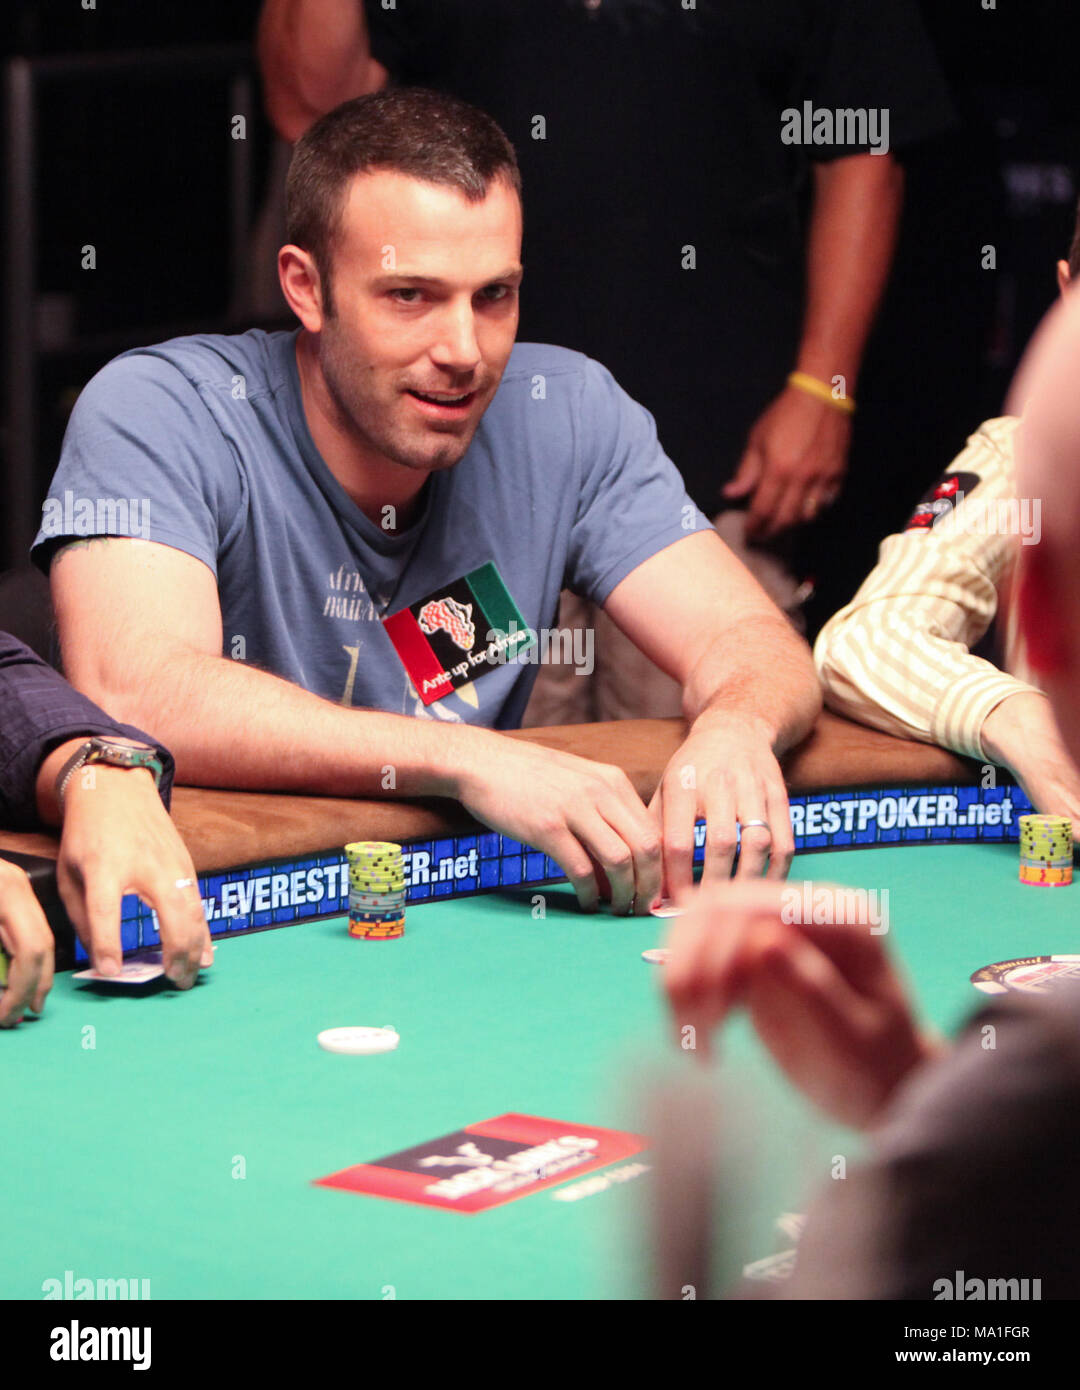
(632, 500)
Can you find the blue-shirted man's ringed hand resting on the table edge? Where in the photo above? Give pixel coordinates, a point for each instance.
(726, 772)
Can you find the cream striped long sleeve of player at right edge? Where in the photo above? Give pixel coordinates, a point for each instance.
(897, 657)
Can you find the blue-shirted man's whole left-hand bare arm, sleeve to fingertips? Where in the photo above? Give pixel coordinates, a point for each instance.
(141, 632)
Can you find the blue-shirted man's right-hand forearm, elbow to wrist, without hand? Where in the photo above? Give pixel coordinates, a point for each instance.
(764, 676)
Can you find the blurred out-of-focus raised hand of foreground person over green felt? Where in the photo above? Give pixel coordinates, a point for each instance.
(825, 1000)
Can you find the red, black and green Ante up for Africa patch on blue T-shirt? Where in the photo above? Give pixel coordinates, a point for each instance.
(459, 633)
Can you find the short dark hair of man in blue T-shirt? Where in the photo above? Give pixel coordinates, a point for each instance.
(429, 136)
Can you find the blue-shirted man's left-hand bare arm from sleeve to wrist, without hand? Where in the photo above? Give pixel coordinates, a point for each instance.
(227, 725)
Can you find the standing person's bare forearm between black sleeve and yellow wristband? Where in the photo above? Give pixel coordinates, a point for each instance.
(853, 237)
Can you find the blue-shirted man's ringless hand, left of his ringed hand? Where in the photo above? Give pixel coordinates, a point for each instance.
(586, 815)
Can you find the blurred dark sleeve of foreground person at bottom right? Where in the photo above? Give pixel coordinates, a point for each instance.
(971, 1175)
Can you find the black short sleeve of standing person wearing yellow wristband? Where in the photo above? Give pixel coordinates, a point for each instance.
(876, 56)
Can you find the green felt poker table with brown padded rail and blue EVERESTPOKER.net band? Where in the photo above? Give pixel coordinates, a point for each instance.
(179, 1138)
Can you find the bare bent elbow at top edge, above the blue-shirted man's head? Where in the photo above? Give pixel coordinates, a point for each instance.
(313, 56)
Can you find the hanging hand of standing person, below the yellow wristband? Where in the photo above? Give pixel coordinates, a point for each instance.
(794, 464)
